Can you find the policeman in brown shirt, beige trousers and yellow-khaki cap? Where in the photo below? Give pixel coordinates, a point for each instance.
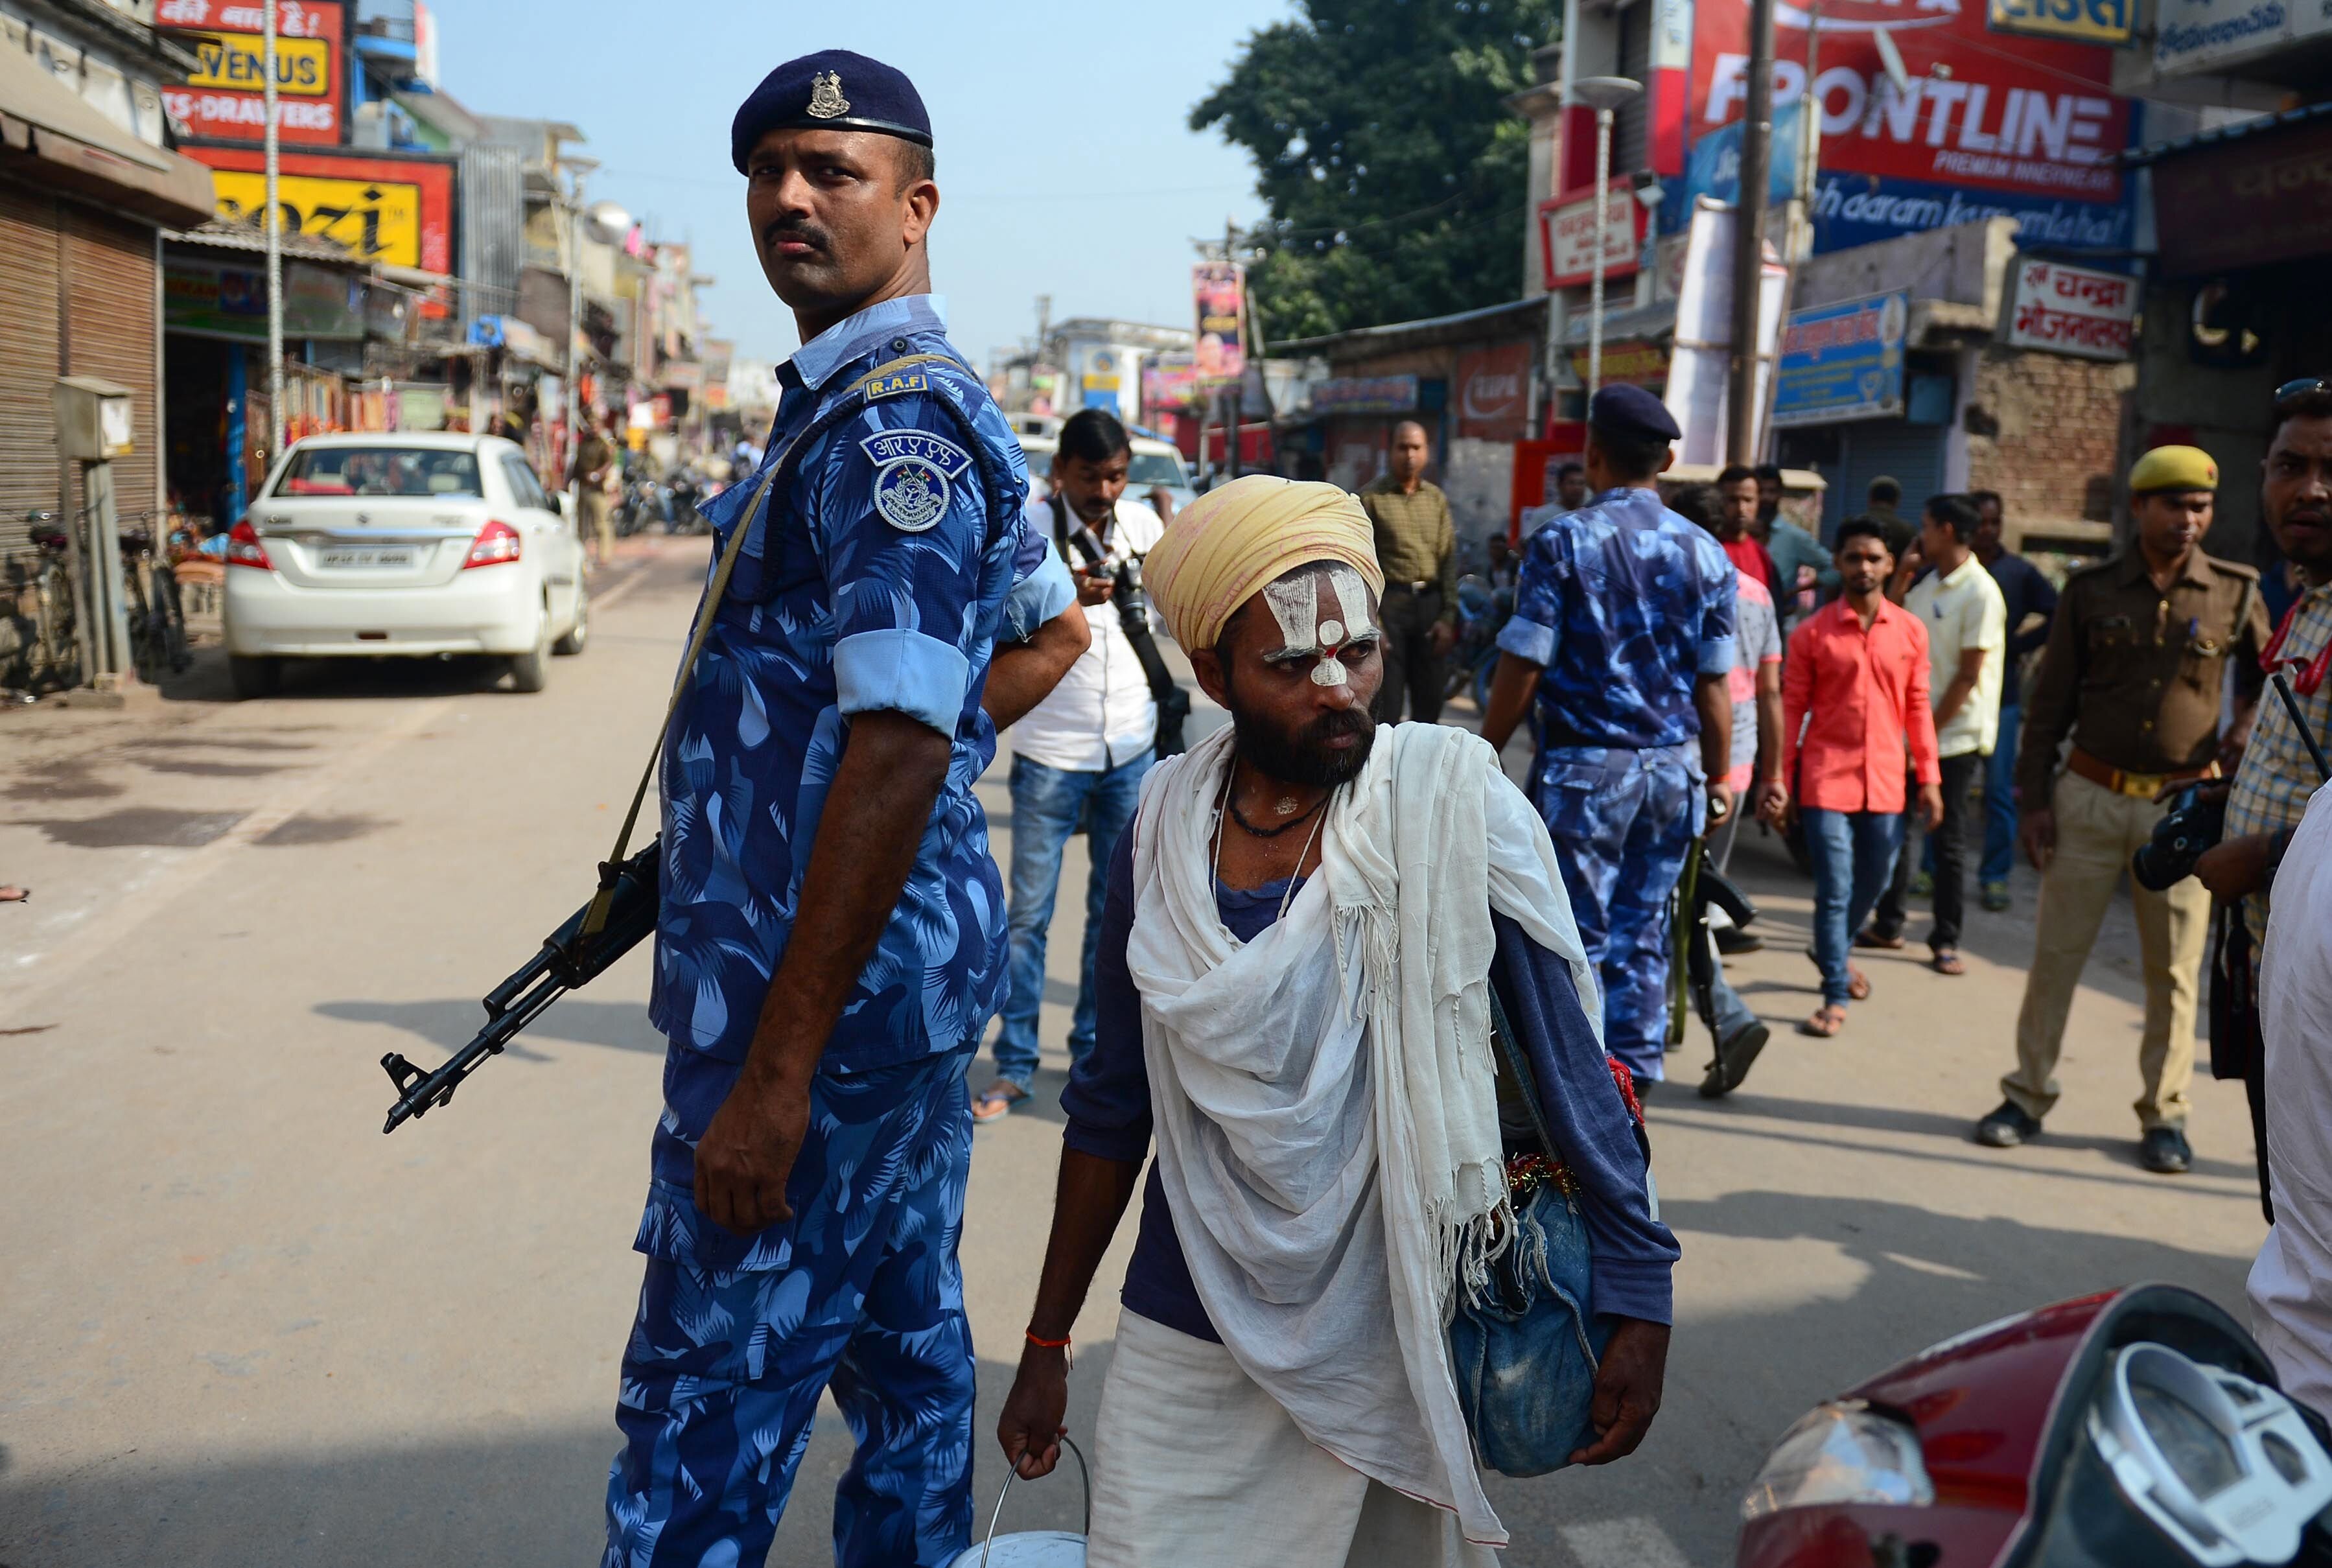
(2133, 675)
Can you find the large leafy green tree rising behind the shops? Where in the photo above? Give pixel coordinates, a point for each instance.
(1393, 171)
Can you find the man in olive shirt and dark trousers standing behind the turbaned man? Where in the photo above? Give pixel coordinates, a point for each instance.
(1419, 552)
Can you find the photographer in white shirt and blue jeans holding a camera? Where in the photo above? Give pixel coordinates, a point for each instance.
(1081, 755)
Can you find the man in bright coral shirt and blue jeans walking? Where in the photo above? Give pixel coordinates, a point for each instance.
(1860, 671)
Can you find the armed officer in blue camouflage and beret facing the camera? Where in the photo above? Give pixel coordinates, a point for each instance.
(831, 939)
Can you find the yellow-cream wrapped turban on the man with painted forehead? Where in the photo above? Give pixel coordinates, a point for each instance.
(1237, 538)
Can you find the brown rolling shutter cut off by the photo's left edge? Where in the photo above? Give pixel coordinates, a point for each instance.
(29, 358)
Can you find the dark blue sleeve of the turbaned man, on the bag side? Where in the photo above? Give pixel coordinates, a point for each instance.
(1594, 1130)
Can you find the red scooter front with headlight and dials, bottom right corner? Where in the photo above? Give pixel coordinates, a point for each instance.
(2137, 1429)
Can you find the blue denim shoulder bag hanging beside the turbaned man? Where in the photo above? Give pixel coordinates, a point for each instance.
(1526, 1347)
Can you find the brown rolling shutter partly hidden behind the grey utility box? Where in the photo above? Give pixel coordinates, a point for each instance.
(111, 332)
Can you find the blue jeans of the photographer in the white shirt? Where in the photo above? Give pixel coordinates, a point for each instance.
(1048, 804)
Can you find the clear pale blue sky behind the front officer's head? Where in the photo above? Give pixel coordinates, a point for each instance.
(1067, 164)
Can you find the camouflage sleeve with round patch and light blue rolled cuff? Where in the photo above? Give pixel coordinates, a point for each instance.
(901, 538)
